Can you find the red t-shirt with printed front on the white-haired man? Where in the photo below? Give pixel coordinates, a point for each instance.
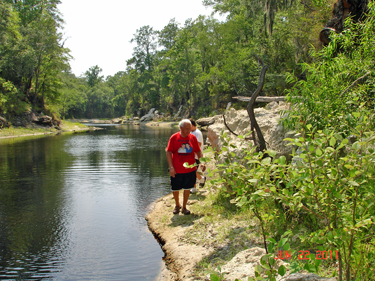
(183, 150)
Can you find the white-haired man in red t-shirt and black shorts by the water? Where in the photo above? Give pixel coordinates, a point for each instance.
(181, 177)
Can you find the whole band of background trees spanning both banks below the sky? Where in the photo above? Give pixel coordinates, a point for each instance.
(200, 65)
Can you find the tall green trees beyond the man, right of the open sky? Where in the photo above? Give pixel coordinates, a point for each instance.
(204, 63)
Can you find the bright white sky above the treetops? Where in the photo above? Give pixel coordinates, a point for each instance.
(99, 32)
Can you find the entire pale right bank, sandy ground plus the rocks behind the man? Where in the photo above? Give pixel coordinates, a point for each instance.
(219, 238)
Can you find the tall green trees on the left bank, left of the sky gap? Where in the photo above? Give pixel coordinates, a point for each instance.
(31, 54)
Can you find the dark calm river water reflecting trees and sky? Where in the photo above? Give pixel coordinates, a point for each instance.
(72, 206)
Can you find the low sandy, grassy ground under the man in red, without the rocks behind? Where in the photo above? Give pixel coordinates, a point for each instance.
(214, 239)
